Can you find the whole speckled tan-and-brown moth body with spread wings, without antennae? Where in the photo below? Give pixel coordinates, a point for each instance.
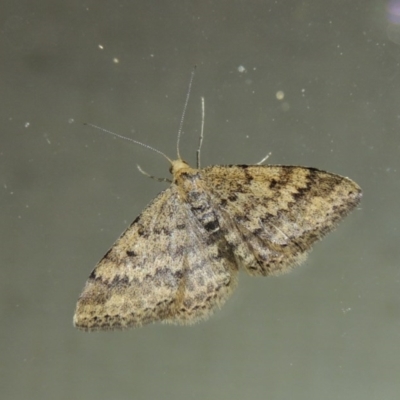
(178, 261)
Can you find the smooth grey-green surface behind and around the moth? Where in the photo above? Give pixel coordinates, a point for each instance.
(330, 329)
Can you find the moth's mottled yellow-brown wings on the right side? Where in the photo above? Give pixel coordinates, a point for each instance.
(273, 214)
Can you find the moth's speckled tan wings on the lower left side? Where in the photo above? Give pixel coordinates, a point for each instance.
(161, 268)
